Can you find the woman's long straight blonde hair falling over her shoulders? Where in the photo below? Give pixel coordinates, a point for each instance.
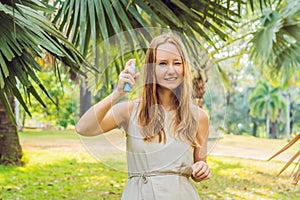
(151, 116)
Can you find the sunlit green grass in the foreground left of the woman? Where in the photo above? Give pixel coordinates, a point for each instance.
(65, 178)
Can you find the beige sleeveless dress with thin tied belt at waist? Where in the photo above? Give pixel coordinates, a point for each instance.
(156, 170)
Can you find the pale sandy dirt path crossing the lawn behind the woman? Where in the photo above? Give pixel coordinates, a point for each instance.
(234, 146)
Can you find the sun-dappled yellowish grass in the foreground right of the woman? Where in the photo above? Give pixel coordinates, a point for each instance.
(247, 179)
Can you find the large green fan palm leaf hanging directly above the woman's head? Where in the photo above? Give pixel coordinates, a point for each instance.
(109, 18)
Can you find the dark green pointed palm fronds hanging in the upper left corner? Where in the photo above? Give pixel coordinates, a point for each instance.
(24, 35)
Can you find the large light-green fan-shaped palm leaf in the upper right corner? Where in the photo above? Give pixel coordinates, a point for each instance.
(276, 43)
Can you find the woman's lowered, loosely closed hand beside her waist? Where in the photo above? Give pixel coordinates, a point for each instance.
(201, 171)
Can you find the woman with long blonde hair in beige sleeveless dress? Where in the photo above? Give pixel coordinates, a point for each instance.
(166, 133)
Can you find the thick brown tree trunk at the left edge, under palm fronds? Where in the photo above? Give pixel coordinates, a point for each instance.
(10, 148)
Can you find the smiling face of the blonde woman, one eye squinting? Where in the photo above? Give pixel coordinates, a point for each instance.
(169, 66)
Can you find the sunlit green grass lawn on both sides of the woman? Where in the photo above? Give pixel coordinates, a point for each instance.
(76, 175)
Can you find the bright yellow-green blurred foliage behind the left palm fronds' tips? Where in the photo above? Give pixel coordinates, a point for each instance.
(61, 111)
